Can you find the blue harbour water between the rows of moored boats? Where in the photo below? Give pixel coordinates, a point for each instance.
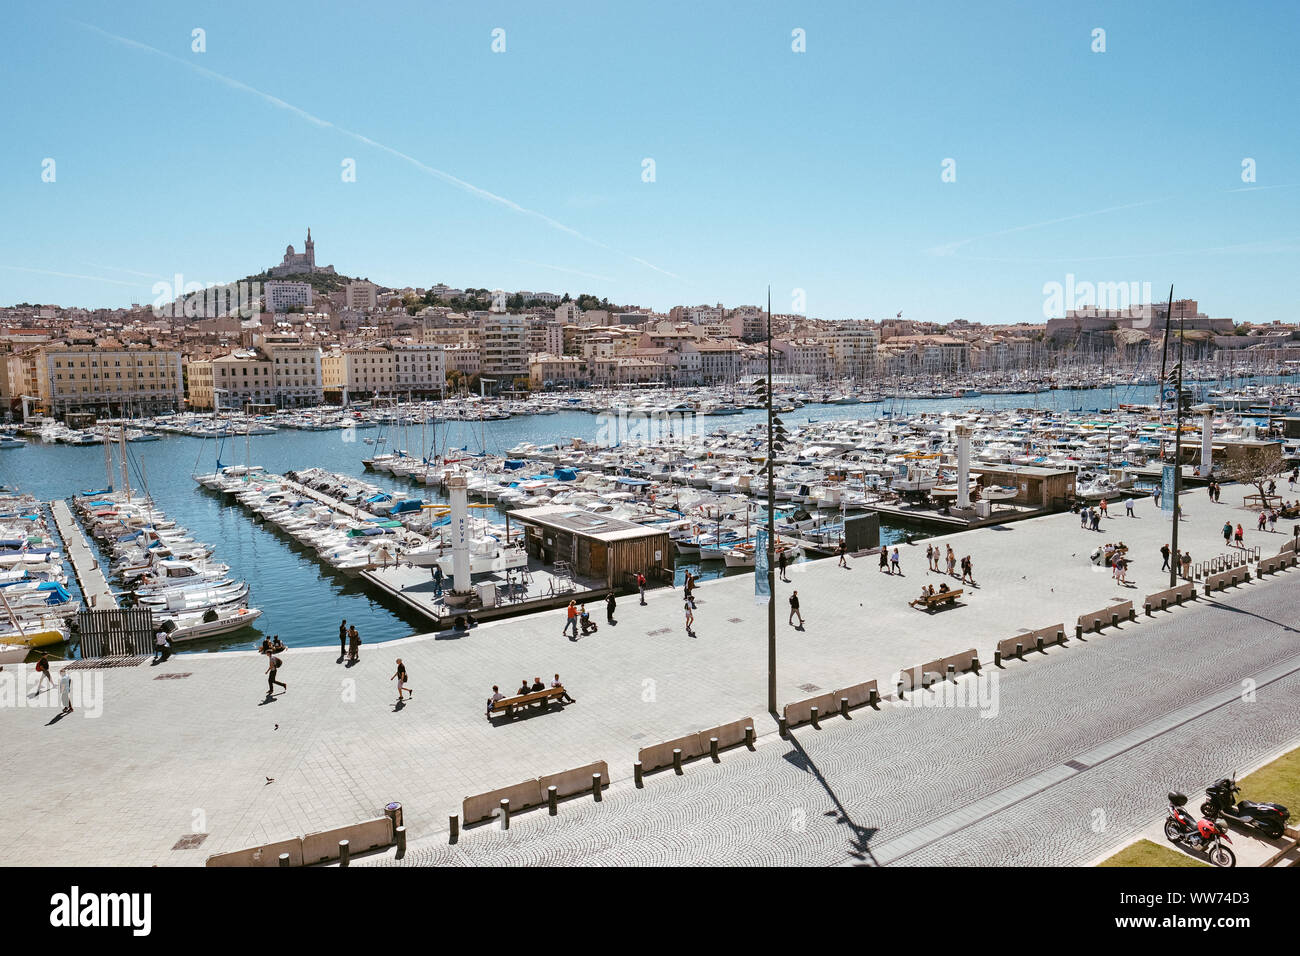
(302, 602)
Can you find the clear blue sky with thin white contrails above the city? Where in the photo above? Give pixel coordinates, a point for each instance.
(525, 170)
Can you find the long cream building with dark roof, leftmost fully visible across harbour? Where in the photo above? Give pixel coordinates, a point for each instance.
(123, 380)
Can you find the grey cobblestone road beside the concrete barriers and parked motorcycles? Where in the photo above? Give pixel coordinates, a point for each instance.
(856, 791)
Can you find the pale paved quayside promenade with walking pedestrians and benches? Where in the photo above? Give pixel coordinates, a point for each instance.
(192, 746)
